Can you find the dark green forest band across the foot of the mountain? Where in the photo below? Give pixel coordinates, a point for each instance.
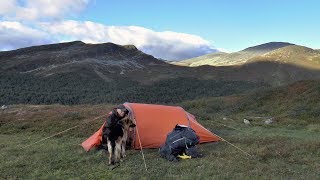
(72, 88)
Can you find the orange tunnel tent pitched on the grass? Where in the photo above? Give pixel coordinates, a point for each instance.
(153, 123)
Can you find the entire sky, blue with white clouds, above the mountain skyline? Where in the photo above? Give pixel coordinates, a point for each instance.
(167, 29)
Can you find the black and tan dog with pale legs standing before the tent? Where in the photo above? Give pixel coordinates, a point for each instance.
(117, 139)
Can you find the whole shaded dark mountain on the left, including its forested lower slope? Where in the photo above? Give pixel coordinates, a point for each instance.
(78, 73)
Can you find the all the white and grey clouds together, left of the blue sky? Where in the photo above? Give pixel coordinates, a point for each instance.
(26, 23)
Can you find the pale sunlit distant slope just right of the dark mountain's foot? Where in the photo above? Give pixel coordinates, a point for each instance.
(236, 58)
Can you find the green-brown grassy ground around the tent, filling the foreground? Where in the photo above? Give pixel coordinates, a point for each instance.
(283, 150)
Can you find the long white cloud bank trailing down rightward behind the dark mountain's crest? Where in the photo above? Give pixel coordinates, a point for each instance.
(167, 45)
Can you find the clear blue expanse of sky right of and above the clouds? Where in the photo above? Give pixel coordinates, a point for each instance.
(229, 24)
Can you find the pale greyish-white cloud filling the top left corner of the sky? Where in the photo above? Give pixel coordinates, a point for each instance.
(29, 10)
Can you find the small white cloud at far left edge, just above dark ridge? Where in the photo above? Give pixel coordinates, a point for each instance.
(15, 35)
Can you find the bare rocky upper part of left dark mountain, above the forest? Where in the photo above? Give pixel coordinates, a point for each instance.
(65, 57)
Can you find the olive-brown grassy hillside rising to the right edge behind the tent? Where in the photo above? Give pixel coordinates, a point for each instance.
(297, 103)
